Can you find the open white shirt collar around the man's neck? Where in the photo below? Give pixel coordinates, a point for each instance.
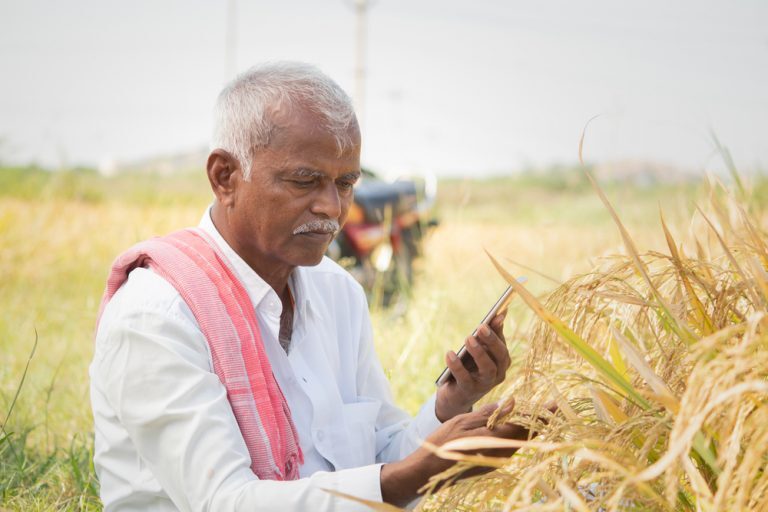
(256, 287)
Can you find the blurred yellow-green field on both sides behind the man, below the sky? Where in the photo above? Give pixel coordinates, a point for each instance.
(59, 233)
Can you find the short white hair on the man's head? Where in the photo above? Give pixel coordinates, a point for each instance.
(244, 113)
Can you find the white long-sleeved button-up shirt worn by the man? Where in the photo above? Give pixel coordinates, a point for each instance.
(166, 437)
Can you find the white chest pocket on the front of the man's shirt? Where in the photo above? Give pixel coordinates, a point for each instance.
(359, 445)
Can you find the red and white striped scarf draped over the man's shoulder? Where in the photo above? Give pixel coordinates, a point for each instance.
(190, 260)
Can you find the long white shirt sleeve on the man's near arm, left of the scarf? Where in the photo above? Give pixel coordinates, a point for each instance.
(152, 371)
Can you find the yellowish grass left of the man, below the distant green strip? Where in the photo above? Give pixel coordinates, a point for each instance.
(53, 257)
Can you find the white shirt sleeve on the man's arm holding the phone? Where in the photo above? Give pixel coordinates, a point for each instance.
(397, 433)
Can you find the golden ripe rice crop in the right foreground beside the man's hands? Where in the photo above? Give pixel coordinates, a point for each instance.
(658, 361)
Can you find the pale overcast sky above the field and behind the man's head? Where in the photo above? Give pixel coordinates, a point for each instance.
(452, 86)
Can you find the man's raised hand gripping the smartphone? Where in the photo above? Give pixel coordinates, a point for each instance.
(469, 383)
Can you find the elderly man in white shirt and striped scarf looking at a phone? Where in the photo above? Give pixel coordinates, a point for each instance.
(234, 367)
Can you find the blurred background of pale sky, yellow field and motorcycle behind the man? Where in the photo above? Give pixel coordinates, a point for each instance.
(477, 107)
